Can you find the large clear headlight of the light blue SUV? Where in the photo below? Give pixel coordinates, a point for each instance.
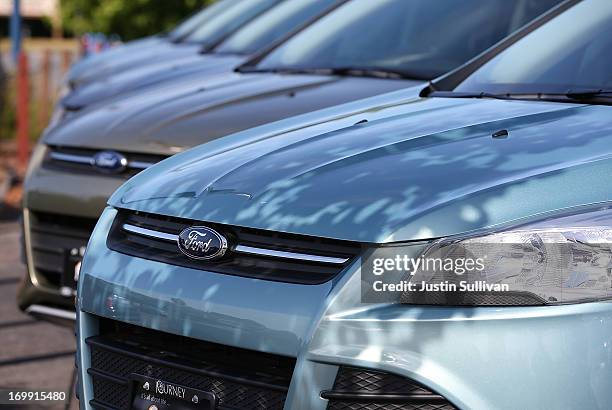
(557, 261)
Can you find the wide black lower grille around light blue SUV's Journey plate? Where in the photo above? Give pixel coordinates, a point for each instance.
(240, 378)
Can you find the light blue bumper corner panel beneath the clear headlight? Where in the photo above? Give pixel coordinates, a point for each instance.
(553, 357)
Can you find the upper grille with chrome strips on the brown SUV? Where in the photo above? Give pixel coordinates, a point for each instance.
(79, 160)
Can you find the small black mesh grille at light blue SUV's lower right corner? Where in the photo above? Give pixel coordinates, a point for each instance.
(360, 389)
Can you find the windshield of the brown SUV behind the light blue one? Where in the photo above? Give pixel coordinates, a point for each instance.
(419, 38)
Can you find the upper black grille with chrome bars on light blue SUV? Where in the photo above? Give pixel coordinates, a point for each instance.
(234, 262)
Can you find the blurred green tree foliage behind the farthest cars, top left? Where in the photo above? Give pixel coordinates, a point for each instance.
(129, 19)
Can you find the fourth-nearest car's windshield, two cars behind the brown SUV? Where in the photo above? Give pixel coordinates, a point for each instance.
(228, 21)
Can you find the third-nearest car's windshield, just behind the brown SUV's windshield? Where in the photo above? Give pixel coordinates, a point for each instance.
(273, 25)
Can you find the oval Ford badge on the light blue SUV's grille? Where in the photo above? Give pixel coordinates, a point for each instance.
(200, 242)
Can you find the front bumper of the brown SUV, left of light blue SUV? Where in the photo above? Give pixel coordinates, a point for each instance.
(69, 203)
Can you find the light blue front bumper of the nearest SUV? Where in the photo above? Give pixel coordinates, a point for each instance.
(476, 358)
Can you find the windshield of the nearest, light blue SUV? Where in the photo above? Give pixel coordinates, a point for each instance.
(570, 53)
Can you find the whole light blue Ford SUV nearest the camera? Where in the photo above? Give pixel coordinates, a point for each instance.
(241, 274)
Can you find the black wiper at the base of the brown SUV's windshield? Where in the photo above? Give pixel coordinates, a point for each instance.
(375, 72)
